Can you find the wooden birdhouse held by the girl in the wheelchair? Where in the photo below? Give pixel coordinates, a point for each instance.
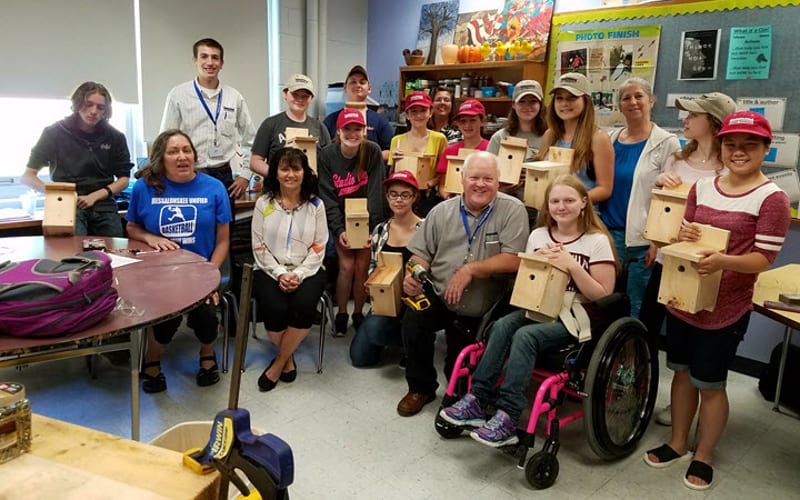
(539, 287)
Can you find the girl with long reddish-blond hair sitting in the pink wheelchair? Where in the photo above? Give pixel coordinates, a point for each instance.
(571, 235)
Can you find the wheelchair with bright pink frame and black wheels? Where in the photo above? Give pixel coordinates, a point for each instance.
(616, 408)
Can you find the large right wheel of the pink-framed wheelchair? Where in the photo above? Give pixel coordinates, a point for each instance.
(622, 384)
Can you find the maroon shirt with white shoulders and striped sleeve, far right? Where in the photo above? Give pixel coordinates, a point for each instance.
(757, 220)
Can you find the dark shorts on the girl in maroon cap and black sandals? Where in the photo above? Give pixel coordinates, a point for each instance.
(705, 354)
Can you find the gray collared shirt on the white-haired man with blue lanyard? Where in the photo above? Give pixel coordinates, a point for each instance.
(442, 241)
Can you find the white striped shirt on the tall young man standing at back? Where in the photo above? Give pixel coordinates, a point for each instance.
(233, 133)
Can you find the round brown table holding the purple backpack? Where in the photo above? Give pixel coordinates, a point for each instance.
(156, 287)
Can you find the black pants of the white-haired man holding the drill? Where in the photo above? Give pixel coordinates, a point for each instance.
(419, 339)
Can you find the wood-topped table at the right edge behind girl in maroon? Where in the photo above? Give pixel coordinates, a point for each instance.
(770, 284)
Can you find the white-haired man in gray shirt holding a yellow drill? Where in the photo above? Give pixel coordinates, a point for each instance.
(462, 243)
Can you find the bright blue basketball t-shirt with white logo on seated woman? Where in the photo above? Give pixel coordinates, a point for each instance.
(186, 213)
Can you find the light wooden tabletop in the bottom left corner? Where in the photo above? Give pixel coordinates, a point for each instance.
(68, 461)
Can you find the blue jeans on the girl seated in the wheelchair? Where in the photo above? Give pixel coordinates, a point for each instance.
(521, 340)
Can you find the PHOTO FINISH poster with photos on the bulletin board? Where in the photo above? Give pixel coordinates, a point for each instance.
(608, 57)
